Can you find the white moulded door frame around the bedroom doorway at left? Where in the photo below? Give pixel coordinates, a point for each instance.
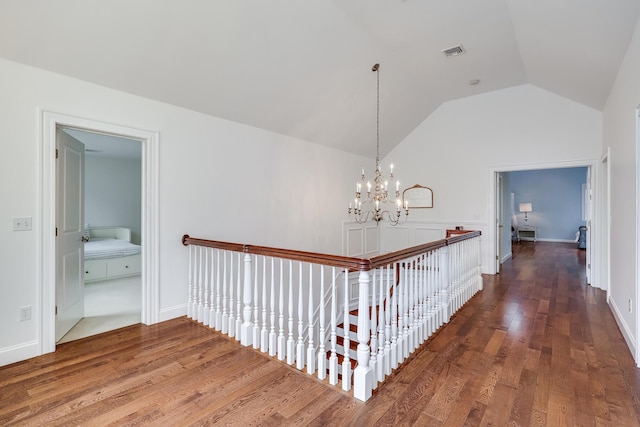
(48, 191)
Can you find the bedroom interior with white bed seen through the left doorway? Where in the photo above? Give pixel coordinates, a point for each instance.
(112, 216)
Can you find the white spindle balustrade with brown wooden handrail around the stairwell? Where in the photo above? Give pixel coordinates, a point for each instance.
(300, 311)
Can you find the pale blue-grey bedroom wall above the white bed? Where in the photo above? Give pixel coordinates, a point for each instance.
(113, 193)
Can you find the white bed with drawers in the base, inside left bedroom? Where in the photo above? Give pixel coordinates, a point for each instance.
(110, 254)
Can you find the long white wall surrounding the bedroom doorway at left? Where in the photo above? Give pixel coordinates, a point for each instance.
(218, 180)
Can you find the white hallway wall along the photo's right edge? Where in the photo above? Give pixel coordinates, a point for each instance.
(620, 135)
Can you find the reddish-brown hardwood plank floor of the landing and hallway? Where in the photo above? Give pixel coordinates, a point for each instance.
(536, 347)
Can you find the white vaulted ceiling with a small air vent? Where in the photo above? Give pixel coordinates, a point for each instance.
(303, 68)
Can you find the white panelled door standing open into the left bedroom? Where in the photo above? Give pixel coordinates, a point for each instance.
(69, 227)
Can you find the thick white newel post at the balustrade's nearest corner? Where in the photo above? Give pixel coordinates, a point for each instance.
(363, 375)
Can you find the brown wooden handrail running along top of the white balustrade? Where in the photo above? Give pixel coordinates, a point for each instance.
(349, 263)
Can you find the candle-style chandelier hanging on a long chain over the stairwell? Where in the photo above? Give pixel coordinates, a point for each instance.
(378, 202)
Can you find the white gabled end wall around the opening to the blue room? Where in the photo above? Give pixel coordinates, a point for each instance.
(455, 150)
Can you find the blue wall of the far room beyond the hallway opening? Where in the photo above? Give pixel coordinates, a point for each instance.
(556, 198)
